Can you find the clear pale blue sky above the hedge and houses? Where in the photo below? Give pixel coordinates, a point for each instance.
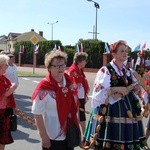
(127, 20)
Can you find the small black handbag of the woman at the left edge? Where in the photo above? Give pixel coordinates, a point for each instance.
(13, 122)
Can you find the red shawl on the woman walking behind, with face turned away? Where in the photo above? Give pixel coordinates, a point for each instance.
(79, 76)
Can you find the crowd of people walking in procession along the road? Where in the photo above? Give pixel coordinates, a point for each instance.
(118, 102)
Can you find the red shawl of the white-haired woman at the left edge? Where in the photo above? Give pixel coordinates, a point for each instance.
(5, 84)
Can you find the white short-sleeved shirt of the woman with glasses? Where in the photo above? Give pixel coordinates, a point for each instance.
(47, 107)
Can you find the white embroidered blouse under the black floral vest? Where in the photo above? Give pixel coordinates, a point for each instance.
(102, 85)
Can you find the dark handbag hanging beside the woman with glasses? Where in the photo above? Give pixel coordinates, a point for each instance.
(73, 135)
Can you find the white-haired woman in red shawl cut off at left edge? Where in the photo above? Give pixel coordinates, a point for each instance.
(7, 103)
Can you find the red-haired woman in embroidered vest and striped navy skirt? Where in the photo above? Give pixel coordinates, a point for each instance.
(116, 118)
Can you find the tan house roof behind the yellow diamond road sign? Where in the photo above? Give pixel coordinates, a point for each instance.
(28, 35)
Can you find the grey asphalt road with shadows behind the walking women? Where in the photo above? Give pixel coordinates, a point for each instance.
(26, 137)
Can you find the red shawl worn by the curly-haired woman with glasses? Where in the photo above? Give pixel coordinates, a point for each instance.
(64, 97)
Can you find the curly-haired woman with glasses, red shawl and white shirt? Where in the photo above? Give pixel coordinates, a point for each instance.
(54, 101)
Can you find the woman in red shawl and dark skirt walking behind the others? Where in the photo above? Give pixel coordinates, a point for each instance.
(76, 71)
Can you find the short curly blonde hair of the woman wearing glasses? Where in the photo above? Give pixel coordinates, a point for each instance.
(50, 56)
